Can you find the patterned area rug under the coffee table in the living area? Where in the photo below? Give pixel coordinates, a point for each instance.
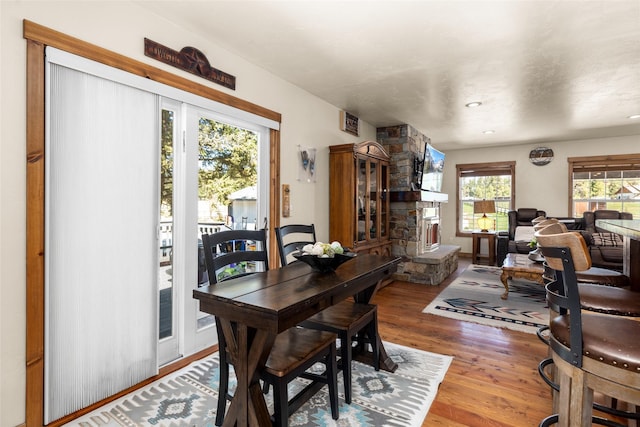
(474, 296)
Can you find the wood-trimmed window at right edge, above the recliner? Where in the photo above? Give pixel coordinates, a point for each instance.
(605, 182)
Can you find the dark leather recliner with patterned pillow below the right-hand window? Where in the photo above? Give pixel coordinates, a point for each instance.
(606, 248)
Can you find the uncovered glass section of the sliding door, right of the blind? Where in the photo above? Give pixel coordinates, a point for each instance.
(210, 182)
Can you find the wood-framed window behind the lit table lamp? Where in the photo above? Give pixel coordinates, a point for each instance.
(485, 181)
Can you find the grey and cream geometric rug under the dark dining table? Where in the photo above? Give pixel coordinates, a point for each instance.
(188, 397)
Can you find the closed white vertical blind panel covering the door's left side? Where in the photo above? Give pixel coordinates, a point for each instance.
(101, 263)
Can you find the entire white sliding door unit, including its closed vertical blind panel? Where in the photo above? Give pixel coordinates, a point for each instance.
(135, 172)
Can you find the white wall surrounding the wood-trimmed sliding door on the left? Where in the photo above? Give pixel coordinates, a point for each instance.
(121, 27)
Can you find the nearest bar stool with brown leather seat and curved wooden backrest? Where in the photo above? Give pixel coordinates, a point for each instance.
(590, 351)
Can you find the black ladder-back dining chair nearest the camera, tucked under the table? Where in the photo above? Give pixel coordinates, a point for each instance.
(235, 253)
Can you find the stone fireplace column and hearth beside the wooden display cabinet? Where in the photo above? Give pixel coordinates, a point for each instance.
(403, 144)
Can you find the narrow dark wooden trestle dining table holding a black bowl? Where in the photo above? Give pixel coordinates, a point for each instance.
(253, 309)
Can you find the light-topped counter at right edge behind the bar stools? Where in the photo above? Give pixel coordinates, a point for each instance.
(630, 230)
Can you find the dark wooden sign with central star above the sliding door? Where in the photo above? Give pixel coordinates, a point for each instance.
(189, 59)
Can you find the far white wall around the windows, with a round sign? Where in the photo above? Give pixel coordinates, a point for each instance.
(542, 187)
